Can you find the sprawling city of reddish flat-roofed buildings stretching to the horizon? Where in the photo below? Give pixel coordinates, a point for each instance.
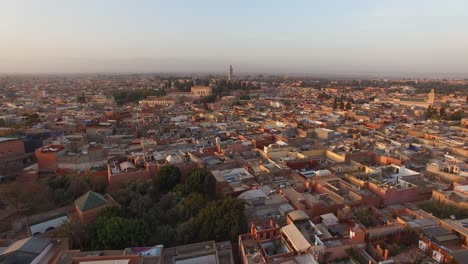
(163, 169)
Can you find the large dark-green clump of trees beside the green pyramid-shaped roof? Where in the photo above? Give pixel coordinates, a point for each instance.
(157, 212)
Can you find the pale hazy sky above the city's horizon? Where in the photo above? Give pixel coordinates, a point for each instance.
(291, 36)
